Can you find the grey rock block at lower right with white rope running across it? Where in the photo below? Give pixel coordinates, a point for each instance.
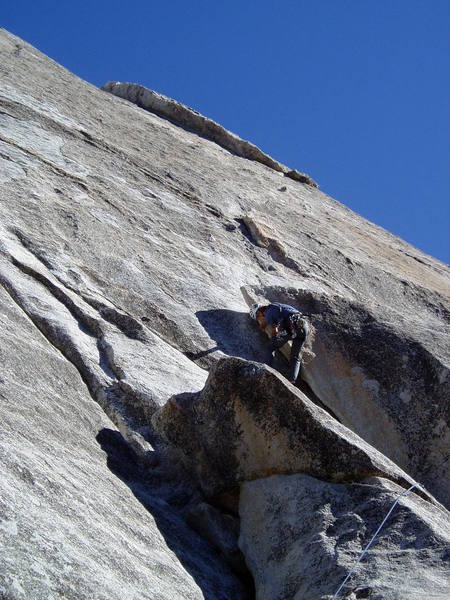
(314, 531)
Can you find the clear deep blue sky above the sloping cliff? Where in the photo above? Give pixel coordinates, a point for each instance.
(354, 92)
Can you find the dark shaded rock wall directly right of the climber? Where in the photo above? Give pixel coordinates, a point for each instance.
(385, 377)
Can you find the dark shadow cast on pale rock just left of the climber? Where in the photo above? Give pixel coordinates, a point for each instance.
(234, 333)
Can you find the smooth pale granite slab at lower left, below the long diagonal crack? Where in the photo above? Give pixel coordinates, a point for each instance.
(79, 519)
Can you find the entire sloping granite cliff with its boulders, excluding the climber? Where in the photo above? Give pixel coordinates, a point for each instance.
(125, 238)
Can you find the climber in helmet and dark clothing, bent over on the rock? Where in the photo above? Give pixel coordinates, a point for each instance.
(286, 323)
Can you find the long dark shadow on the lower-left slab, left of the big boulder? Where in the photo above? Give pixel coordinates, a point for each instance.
(164, 498)
